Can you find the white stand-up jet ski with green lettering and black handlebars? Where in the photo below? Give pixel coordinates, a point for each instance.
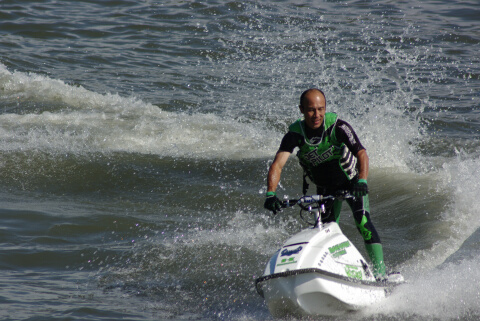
(319, 271)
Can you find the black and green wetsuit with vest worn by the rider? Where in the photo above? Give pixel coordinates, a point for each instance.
(328, 157)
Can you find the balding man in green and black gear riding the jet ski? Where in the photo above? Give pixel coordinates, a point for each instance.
(333, 159)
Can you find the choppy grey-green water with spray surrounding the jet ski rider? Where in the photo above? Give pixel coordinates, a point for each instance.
(135, 138)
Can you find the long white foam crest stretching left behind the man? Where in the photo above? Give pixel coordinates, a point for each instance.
(91, 122)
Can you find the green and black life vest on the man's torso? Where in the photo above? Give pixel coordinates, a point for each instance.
(327, 162)
